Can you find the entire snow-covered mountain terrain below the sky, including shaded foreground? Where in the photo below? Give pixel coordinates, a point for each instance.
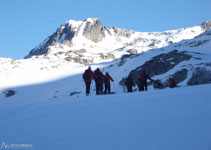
(43, 103)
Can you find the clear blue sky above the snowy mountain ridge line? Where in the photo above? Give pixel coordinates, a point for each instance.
(26, 23)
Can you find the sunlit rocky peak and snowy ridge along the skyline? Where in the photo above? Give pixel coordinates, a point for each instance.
(96, 39)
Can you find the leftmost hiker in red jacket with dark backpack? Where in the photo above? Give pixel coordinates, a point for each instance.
(87, 77)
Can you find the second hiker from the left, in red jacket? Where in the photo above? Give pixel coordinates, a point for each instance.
(99, 79)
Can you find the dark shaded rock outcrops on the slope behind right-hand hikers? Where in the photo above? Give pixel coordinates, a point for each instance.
(163, 63)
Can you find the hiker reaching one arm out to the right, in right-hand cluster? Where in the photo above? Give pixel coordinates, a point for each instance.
(143, 81)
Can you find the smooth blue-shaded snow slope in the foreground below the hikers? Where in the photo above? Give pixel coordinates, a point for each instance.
(173, 119)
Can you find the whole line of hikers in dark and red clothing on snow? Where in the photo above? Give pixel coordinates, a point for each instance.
(101, 79)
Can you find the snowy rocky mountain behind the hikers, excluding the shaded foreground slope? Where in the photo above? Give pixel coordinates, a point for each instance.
(183, 54)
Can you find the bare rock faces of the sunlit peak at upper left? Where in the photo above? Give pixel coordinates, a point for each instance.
(93, 31)
